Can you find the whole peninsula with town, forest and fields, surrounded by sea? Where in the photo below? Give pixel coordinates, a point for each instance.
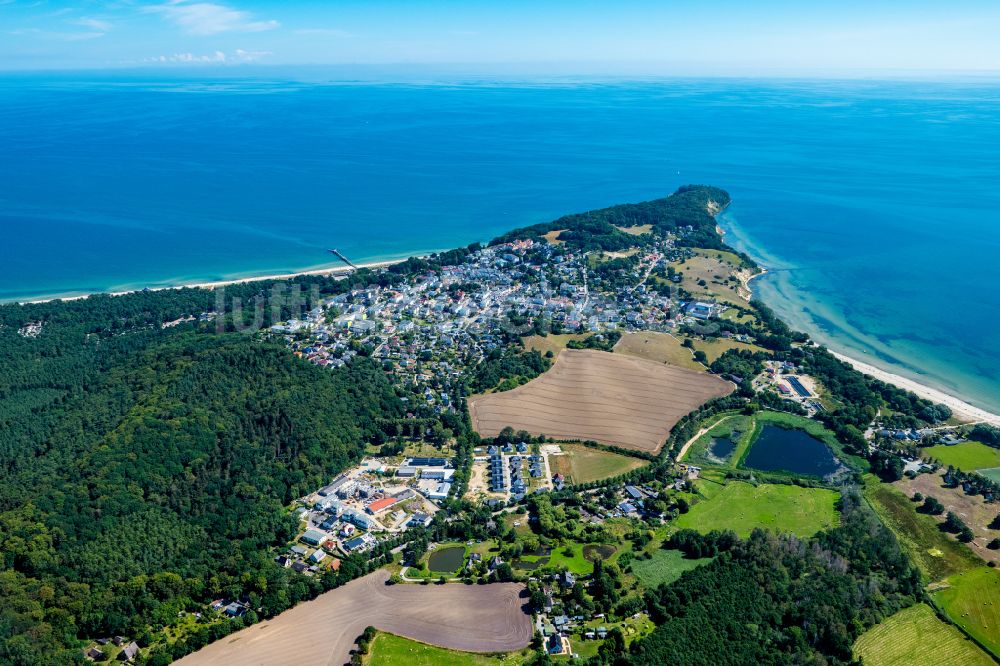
(583, 440)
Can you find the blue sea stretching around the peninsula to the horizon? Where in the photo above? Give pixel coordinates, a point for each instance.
(875, 205)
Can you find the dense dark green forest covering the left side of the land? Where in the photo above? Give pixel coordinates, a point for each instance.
(144, 469)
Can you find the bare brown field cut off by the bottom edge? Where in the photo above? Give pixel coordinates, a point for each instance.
(479, 618)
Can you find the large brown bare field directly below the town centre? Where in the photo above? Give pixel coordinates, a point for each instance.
(593, 395)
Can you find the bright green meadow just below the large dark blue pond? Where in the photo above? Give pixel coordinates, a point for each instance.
(741, 507)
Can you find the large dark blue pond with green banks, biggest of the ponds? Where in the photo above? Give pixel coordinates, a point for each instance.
(781, 449)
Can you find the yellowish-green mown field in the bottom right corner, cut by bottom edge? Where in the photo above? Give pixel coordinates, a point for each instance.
(915, 636)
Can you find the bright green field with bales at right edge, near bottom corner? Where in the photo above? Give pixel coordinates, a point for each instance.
(972, 601)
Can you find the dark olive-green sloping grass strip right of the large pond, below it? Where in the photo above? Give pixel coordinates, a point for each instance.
(936, 554)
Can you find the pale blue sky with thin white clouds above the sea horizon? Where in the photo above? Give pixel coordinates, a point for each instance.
(581, 37)
